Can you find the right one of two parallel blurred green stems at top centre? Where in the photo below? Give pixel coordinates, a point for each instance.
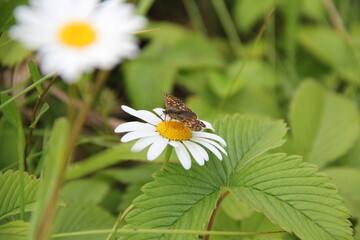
(228, 25)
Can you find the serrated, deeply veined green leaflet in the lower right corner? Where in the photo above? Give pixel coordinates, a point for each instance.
(294, 195)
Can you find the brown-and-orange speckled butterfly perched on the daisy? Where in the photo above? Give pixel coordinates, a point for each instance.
(176, 109)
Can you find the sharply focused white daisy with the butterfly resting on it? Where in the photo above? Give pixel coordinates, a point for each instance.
(160, 131)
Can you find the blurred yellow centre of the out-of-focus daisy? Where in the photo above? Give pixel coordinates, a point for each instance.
(77, 34)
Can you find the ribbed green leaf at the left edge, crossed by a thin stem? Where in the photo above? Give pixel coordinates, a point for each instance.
(10, 192)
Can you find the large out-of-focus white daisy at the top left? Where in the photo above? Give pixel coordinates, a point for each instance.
(72, 37)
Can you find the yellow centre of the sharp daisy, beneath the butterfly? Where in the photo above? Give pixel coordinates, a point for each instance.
(173, 130)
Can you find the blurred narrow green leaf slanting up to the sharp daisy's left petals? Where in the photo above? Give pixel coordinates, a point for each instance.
(101, 160)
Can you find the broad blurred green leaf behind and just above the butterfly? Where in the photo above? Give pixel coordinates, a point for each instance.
(156, 72)
